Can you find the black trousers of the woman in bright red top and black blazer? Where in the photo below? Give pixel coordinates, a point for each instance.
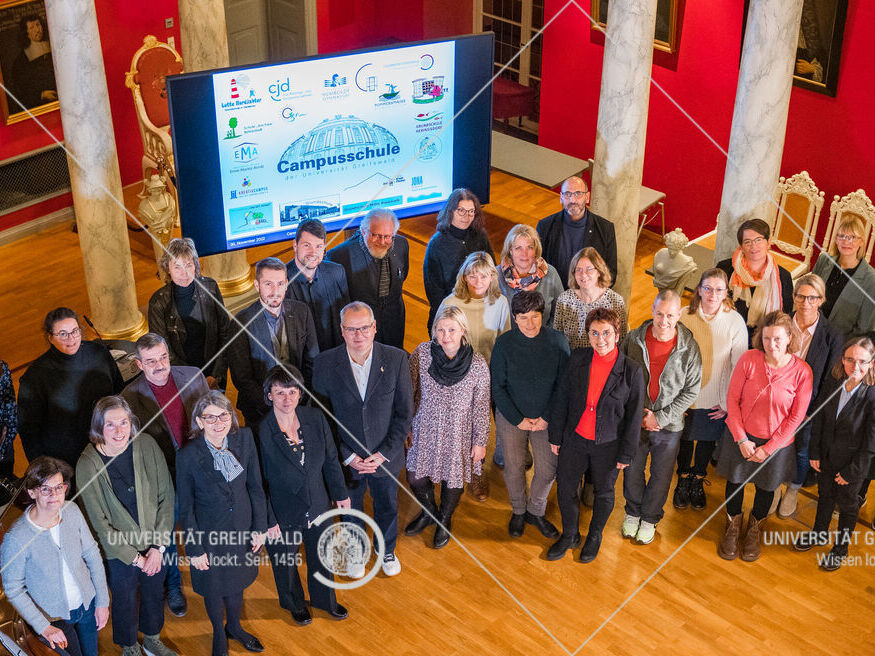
(576, 456)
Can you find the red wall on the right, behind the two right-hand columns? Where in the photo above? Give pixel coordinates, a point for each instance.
(830, 137)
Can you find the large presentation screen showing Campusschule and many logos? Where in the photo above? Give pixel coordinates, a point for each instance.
(259, 149)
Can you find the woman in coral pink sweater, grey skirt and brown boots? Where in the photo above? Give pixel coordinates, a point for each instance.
(768, 397)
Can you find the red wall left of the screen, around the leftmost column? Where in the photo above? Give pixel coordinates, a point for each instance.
(122, 26)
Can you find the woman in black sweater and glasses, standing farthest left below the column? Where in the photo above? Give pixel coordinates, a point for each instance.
(57, 393)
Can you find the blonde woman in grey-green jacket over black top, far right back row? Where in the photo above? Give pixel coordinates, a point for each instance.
(850, 279)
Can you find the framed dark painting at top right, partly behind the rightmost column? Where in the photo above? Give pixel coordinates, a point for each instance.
(819, 48)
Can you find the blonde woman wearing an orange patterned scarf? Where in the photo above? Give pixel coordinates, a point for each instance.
(522, 267)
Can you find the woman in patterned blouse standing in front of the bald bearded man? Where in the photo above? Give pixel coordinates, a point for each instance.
(589, 287)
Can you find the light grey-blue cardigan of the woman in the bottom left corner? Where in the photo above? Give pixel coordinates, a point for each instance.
(32, 572)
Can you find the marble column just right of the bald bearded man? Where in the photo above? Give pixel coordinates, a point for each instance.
(622, 126)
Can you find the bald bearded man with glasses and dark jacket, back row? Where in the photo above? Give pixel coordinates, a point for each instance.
(575, 227)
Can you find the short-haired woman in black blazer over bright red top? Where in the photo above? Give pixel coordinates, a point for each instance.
(594, 424)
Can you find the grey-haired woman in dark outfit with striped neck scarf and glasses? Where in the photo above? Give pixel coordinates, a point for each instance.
(222, 511)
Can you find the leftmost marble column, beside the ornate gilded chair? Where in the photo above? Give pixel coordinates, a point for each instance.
(94, 169)
